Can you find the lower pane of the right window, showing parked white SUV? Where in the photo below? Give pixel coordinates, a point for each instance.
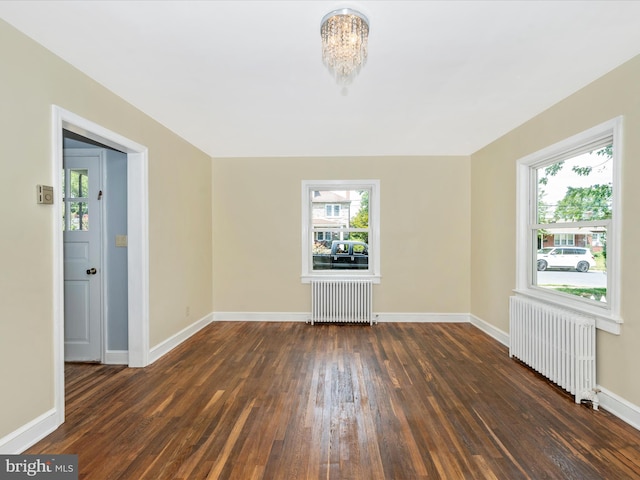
(580, 269)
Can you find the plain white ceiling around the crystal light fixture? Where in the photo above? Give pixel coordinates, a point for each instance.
(246, 79)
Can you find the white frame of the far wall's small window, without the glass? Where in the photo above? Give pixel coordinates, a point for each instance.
(308, 187)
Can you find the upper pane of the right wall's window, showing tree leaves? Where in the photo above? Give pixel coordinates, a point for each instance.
(576, 189)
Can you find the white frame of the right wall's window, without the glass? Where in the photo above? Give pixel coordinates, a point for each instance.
(607, 315)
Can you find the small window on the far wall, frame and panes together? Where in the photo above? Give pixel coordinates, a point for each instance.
(340, 228)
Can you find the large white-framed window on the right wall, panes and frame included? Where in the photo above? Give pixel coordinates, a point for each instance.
(568, 217)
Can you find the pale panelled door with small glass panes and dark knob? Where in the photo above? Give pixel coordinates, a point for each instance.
(82, 219)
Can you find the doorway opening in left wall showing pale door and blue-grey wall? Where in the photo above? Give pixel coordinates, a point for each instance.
(94, 220)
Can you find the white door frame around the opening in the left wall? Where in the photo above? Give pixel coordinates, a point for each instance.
(138, 241)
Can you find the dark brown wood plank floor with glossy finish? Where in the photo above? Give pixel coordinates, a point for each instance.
(247, 400)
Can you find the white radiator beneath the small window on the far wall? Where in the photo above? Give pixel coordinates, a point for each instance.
(341, 301)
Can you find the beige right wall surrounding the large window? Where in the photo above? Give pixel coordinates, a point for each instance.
(493, 214)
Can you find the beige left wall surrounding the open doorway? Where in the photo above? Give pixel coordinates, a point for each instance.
(33, 79)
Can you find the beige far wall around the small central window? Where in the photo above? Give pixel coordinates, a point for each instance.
(424, 232)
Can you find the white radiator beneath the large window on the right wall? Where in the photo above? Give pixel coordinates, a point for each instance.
(557, 343)
